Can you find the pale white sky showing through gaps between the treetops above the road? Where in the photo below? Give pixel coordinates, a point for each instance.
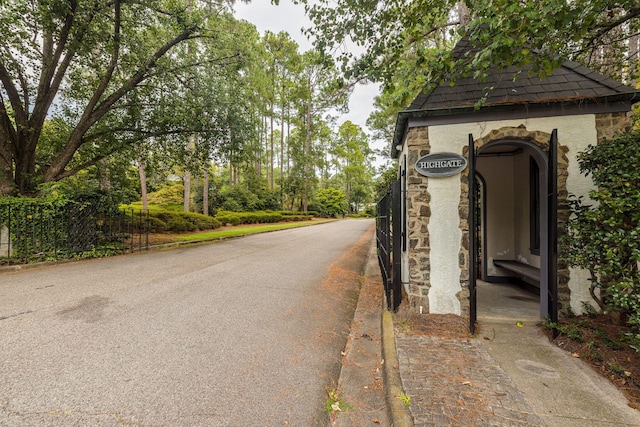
(291, 18)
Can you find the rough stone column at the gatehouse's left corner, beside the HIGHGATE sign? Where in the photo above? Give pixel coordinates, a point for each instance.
(418, 213)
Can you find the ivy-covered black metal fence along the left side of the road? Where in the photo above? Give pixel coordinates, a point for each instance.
(33, 231)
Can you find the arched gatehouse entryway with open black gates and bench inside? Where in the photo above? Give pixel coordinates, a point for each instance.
(514, 221)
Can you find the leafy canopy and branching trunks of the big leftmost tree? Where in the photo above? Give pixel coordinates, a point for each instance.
(118, 72)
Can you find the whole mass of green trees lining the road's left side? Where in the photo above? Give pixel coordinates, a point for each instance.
(158, 91)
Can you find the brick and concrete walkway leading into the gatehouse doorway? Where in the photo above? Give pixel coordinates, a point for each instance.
(509, 375)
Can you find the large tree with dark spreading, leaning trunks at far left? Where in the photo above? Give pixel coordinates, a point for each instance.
(87, 56)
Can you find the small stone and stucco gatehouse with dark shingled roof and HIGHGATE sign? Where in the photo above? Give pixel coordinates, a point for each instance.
(505, 145)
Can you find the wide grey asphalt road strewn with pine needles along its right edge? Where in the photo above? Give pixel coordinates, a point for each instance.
(246, 332)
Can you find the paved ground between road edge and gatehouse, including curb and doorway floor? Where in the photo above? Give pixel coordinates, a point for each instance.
(509, 375)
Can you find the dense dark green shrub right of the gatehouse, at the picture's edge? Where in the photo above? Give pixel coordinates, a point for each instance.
(604, 234)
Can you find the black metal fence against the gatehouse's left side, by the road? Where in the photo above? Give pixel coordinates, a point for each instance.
(387, 239)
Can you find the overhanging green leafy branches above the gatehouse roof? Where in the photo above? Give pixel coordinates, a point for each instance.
(407, 44)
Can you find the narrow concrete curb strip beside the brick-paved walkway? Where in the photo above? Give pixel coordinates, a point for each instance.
(399, 414)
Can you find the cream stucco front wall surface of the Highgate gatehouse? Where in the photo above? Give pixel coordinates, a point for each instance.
(574, 132)
